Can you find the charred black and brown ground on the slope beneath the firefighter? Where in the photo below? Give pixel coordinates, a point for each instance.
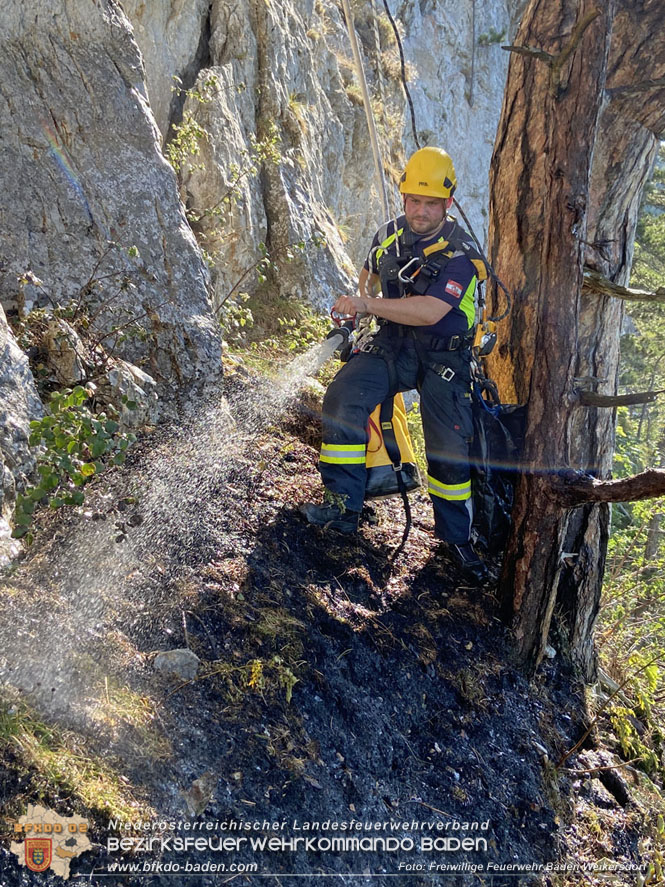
(337, 684)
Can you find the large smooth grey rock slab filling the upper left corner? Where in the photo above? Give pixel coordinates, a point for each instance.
(90, 206)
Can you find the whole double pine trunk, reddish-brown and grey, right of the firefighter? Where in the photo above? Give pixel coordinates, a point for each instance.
(545, 145)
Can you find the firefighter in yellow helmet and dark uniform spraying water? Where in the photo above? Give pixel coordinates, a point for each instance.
(427, 269)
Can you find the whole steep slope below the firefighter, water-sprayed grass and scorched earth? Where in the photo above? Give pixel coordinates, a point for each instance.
(335, 685)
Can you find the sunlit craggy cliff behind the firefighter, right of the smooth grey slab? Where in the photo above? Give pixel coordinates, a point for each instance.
(290, 64)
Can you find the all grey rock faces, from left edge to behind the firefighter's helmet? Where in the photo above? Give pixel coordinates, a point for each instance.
(94, 212)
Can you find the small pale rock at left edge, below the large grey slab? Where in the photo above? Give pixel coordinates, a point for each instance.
(19, 403)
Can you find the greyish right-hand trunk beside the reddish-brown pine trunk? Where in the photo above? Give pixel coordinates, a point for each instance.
(624, 154)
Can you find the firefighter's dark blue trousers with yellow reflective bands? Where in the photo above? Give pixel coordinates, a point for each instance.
(445, 405)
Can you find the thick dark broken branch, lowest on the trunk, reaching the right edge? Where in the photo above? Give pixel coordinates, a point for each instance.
(574, 488)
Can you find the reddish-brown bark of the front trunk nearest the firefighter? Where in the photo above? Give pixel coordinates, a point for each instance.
(540, 178)
